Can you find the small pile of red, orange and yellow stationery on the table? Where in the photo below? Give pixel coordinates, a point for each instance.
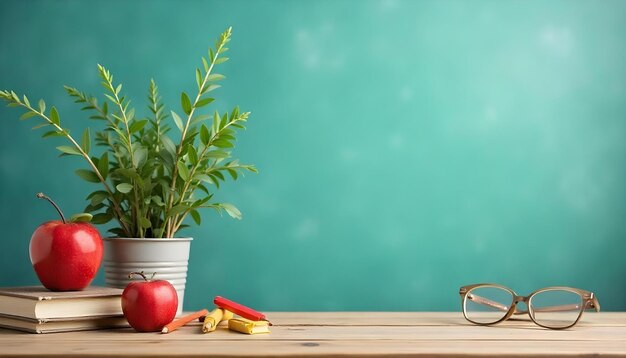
(250, 322)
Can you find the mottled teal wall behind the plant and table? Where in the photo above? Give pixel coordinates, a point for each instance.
(406, 148)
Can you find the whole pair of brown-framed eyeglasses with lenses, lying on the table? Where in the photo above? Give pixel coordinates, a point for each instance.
(550, 307)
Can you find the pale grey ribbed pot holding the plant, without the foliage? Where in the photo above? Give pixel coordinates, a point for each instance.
(167, 257)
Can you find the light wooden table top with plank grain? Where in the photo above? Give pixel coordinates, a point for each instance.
(341, 334)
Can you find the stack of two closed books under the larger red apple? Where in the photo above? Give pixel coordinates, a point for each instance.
(38, 310)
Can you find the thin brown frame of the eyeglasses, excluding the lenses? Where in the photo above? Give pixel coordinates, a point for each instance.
(589, 301)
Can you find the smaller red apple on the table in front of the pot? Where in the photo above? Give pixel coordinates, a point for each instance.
(149, 305)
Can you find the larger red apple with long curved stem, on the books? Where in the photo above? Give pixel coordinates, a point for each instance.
(65, 256)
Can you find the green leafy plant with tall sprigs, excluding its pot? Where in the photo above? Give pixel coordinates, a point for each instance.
(150, 184)
